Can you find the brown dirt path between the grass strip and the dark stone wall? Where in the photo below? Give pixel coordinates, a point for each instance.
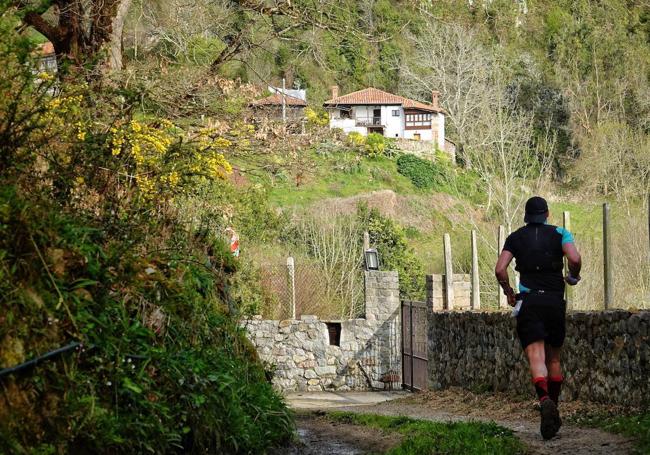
(521, 417)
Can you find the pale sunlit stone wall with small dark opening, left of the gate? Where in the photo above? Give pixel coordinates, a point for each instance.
(368, 355)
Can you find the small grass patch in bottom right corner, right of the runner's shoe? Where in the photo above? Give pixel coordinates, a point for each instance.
(634, 426)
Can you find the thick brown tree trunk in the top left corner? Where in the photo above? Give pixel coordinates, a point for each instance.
(81, 31)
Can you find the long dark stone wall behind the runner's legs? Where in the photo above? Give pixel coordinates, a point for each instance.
(606, 356)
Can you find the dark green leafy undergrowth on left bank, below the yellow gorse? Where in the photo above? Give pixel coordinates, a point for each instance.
(166, 369)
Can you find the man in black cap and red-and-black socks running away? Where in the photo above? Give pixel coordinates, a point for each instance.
(538, 249)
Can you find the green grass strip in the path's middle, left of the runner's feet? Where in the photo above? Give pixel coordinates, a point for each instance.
(423, 437)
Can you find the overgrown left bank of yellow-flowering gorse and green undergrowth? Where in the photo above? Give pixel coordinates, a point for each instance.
(93, 248)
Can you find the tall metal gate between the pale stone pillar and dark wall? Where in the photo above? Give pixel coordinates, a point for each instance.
(414, 345)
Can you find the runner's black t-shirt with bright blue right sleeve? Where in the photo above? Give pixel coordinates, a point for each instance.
(537, 249)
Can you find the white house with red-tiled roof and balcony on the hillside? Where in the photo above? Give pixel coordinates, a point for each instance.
(374, 111)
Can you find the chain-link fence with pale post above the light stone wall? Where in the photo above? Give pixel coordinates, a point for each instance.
(300, 287)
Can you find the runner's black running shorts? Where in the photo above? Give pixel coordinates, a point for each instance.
(542, 317)
